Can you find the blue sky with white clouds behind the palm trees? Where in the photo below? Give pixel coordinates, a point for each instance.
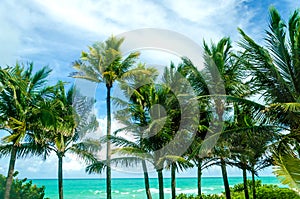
(54, 32)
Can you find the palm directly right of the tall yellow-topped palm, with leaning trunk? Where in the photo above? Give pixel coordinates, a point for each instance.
(131, 109)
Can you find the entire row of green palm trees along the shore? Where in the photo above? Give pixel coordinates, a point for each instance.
(171, 124)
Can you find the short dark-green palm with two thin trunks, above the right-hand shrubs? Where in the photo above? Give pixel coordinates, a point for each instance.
(249, 141)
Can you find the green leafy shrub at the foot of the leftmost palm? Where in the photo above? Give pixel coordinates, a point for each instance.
(22, 189)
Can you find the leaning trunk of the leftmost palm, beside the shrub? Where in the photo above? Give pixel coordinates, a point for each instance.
(10, 173)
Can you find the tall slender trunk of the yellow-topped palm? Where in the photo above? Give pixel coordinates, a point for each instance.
(108, 132)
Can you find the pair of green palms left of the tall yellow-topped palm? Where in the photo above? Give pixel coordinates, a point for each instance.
(40, 119)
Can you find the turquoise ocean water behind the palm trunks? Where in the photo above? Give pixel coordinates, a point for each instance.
(128, 188)
